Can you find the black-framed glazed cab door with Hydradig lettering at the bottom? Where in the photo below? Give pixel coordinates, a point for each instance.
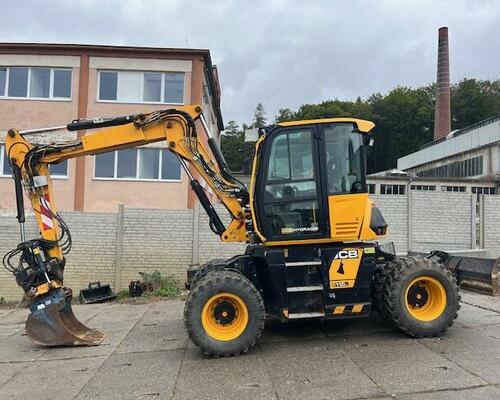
(289, 192)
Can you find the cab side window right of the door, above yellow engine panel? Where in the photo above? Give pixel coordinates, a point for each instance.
(344, 158)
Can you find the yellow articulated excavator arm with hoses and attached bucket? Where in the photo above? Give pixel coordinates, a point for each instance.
(40, 262)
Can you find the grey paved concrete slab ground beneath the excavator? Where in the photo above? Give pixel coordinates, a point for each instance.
(147, 356)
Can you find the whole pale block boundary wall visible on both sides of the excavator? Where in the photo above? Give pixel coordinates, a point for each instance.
(115, 247)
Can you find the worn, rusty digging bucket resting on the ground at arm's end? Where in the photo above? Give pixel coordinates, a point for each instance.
(52, 322)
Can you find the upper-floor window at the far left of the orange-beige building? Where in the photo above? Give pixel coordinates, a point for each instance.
(35, 83)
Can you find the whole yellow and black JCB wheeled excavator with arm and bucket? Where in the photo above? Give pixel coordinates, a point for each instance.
(310, 226)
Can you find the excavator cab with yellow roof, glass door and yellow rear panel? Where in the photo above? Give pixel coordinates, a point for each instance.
(311, 182)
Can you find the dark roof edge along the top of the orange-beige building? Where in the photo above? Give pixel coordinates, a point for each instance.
(124, 51)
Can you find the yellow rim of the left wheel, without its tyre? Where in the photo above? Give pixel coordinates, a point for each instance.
(224, 316)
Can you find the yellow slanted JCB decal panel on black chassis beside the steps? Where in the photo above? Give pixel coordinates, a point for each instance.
(344, 268)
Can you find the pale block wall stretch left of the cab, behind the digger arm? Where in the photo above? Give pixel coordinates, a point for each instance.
(114, 247)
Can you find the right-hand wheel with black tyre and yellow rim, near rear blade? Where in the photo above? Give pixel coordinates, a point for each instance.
(416, 295)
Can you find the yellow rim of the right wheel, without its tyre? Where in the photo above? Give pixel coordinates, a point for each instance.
(425, 298)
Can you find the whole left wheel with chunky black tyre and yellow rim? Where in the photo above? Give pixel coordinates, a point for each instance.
(224, 314)
